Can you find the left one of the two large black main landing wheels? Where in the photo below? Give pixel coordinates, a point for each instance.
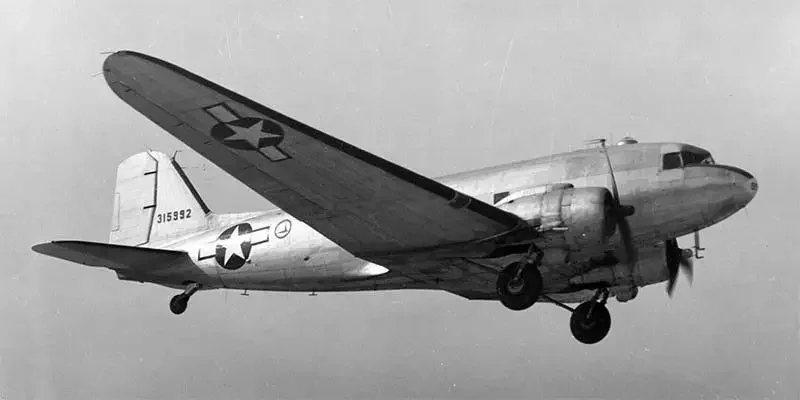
(519, 292)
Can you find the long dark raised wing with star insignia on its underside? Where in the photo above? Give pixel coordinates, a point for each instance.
(368, 205)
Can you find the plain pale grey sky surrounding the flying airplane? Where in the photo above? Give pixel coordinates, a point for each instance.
(438, 87)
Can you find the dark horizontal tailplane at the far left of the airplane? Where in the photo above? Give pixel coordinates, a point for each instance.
(116, 257)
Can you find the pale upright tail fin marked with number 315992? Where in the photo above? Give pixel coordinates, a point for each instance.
(154, 201)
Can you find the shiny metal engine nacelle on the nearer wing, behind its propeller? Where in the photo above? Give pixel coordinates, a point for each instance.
(582, 216)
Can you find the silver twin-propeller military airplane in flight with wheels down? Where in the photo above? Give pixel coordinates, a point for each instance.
(570, 228)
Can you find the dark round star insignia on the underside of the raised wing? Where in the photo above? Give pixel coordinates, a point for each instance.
(249, 133)
